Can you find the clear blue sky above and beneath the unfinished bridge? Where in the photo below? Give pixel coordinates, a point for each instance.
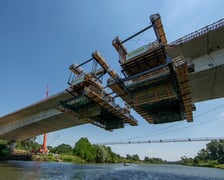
(40, 39)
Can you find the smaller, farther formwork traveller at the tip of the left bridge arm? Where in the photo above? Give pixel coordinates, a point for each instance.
(89, 99)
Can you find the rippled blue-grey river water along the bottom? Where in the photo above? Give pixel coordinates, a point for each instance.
(10, 170)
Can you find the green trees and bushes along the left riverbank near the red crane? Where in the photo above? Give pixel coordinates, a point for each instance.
(83, 152)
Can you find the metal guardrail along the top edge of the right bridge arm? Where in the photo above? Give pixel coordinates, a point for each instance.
(198, 33)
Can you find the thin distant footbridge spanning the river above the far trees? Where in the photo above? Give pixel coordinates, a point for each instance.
(177, 140)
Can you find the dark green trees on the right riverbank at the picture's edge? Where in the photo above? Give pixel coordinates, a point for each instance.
(211, 156)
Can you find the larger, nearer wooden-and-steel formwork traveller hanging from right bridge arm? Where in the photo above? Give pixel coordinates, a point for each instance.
(154, 85)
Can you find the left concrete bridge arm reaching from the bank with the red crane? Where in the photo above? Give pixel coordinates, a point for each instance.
(36, 119)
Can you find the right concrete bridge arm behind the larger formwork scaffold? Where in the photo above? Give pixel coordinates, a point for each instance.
(207, 54)
